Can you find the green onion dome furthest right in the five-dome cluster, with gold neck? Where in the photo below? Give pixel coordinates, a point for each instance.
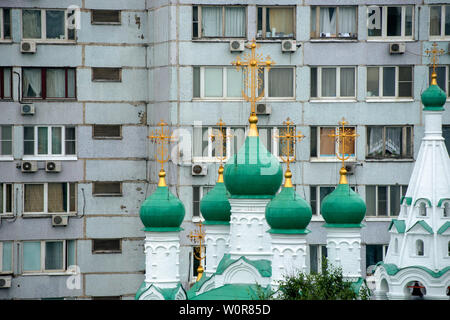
(343, 208)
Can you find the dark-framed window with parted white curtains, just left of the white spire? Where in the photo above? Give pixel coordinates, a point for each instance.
(389, 142)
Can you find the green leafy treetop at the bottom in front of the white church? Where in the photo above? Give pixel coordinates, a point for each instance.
(328, 285)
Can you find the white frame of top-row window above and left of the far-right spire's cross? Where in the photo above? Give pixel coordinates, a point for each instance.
(384, 35)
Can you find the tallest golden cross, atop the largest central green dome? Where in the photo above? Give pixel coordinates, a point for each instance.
(253, 65)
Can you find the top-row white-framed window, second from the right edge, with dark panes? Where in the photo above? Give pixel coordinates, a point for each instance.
(390, 22)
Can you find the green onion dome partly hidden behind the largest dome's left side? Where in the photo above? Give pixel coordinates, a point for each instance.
(214, 205)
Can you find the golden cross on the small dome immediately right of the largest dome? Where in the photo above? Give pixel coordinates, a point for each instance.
(288, 139)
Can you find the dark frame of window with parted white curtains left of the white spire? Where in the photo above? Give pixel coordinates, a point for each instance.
(404, 143)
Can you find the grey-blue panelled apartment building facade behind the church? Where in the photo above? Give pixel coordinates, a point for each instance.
(98, 76)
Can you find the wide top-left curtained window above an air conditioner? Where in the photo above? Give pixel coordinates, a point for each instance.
(46, 24)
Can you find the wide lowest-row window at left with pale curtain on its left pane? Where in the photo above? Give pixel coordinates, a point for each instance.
(48, 256)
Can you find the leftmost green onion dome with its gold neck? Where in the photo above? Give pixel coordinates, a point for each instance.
(162, 211)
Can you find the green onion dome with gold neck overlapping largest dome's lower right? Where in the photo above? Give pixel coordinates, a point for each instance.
(287, 212)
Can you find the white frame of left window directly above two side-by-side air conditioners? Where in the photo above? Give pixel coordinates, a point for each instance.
(50, 156)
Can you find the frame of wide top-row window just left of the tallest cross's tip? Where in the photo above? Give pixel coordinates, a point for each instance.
(199, 22)
